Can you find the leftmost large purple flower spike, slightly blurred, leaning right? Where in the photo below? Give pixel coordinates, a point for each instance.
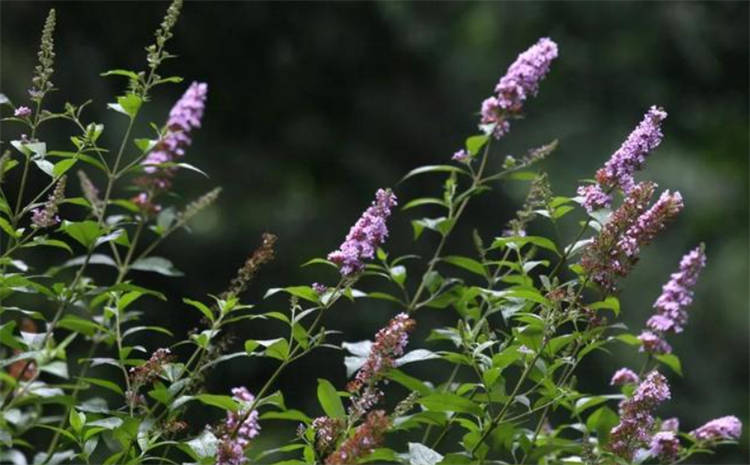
(185, 116)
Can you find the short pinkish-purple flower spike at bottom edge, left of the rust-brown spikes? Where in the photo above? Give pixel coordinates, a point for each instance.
(237, 430)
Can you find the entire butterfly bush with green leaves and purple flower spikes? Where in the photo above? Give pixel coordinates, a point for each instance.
(527, 309)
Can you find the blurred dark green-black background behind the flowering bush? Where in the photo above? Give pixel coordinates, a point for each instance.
(313, 106)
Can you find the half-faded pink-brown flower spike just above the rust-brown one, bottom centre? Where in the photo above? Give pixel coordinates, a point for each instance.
(389, 344)
